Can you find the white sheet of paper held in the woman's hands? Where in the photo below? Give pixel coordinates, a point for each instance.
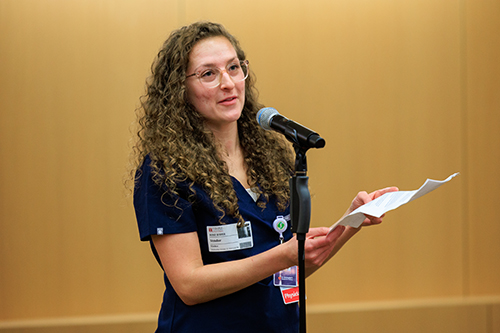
(389, 201)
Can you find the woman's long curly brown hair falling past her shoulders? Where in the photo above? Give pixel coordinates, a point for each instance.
(172, 133)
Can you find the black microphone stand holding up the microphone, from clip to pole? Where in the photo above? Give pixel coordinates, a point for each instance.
(300, 213)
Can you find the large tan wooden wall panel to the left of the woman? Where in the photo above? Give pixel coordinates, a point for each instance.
(71, 75)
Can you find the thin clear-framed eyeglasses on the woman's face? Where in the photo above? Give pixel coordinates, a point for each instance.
(212, 77)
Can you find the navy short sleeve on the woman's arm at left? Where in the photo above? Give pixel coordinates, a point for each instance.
(158, 212)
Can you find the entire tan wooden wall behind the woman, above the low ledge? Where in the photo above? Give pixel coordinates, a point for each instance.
(401, 91)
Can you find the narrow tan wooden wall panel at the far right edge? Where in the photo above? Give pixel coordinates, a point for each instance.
(483, 144)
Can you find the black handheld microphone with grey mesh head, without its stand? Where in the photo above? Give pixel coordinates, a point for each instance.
(270, 119)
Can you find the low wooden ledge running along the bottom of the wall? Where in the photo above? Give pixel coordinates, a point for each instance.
(478, 315)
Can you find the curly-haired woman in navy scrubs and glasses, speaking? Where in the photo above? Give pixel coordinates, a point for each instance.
(209, 185)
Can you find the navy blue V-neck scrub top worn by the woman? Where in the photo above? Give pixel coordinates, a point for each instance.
(257, 308)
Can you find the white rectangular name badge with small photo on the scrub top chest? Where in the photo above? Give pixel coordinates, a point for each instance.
(229, 237)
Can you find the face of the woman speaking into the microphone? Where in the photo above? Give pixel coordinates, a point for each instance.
(223, 104)
